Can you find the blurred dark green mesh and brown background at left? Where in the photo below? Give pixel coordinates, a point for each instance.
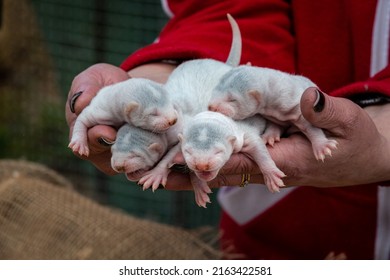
(44, 44)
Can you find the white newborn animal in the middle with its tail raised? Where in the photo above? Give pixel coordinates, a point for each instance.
(190, 86)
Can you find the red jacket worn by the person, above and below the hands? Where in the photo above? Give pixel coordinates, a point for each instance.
(327, 41)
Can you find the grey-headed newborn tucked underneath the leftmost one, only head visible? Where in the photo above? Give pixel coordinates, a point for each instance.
(137, 150)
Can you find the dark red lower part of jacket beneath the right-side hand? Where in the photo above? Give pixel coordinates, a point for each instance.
(309, 223)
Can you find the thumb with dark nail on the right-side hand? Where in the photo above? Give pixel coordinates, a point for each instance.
(334, 114)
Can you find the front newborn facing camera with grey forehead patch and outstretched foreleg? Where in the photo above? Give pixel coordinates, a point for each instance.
(210, 138)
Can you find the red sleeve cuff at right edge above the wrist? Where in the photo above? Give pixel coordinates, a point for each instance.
(380, 83)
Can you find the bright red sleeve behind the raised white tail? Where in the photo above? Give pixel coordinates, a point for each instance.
(200, 29)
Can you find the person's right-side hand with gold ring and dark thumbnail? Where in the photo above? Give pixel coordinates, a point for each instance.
(362, 155)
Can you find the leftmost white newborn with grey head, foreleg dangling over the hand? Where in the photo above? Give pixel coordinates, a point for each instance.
(140, 102)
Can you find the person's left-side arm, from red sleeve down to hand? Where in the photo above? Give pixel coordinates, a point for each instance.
(199, 29)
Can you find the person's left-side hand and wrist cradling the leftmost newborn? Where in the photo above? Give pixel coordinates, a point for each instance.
(89, 82)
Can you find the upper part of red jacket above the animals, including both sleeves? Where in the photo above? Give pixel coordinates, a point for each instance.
(327, 41)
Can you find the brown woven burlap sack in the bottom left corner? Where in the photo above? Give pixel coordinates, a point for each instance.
(40, 220)
